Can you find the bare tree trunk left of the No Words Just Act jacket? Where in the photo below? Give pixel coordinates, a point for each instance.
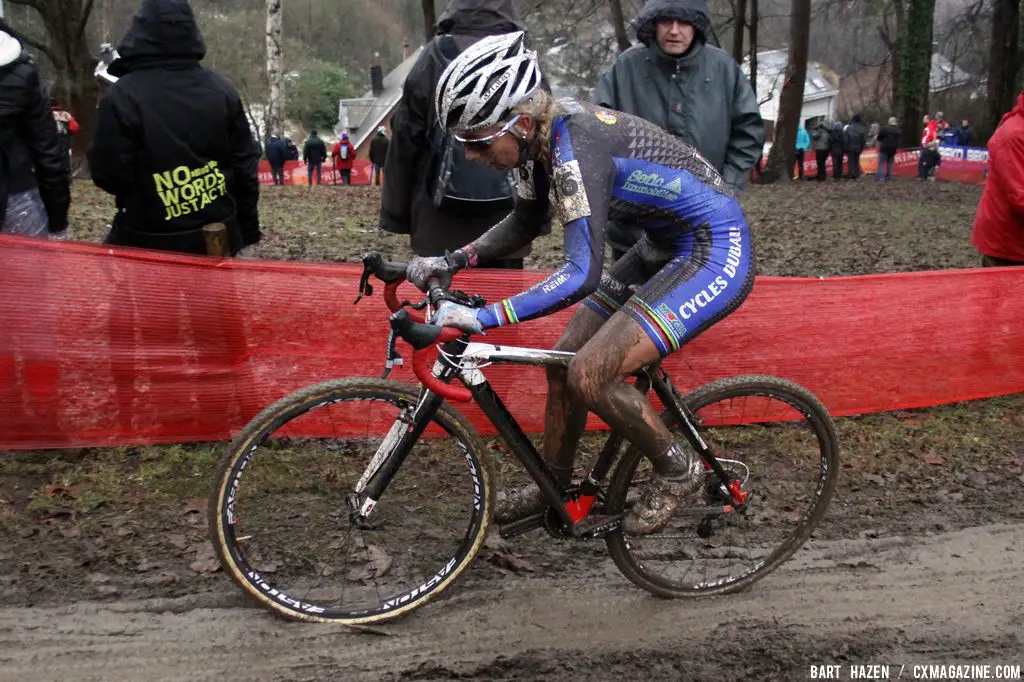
(68, 50)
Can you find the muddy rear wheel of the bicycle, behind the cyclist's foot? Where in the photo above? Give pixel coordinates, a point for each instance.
(780, 442)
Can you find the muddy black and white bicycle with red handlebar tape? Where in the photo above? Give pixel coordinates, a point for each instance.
(357, 501)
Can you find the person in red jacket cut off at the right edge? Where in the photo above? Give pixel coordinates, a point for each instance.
(999, 226)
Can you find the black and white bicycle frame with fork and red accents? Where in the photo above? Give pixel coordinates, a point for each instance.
(465, 361)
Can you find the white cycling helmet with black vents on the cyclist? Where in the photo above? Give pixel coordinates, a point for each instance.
(488, 80)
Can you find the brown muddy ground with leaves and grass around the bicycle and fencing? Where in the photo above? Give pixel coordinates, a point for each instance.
(106, 573)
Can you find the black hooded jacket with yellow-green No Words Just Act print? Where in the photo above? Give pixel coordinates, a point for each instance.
(173, 142)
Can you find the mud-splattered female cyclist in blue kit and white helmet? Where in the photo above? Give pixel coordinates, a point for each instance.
(694, 267)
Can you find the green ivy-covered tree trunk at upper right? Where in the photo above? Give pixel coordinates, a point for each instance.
(916, 68)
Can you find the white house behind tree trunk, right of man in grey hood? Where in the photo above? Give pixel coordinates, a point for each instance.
(821, 95)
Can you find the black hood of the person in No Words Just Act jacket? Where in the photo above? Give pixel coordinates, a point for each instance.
(161, 31)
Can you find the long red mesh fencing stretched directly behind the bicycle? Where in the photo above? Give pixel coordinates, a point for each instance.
(102, 348)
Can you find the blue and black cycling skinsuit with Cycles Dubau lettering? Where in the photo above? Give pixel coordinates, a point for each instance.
(696, 258)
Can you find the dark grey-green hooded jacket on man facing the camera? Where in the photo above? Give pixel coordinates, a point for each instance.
(702, 98)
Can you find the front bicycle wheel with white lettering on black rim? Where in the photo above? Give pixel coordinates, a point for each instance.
(281, 513)
